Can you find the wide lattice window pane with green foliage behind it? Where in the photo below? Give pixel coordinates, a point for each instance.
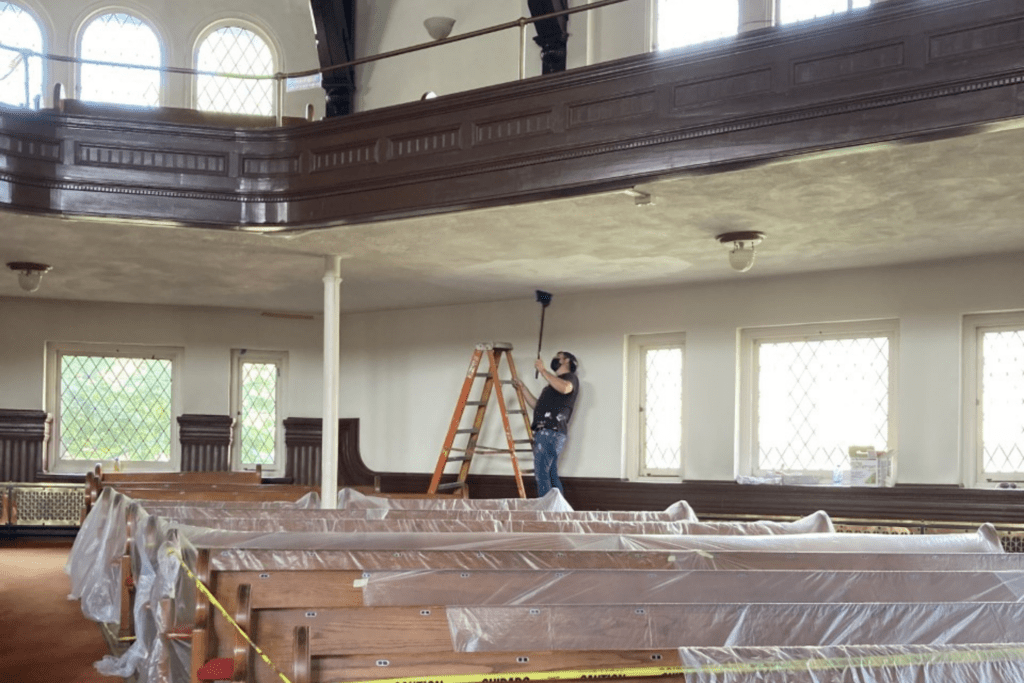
(115, 408)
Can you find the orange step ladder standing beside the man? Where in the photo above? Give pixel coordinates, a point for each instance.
(493, 385)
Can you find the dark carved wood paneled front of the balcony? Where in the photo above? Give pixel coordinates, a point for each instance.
(893, 71)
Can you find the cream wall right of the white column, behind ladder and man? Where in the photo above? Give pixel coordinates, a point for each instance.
(403, 370)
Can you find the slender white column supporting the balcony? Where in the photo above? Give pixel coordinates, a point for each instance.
(332, 381)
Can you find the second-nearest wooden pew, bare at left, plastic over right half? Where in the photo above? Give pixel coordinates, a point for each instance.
(354, 644)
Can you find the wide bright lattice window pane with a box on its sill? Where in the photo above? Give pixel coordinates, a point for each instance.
(815, 400)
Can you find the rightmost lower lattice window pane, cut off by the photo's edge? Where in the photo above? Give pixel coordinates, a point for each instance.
(1003, 402)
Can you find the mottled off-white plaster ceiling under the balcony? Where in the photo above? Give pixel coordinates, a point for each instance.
(874, 205)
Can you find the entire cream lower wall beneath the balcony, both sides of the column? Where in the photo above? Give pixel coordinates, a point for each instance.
(402, 371)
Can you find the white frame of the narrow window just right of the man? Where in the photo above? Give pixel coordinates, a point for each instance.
(636, 346)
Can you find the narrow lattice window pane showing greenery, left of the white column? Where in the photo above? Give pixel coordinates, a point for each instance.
(259, 413)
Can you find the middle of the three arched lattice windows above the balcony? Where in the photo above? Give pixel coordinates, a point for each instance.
(122, 39)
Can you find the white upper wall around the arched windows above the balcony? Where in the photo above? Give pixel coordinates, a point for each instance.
(603, 35)
